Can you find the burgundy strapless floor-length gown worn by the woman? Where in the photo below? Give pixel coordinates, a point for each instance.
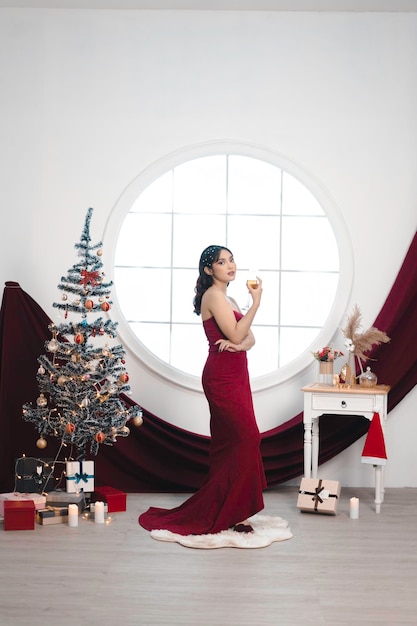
(233, 489)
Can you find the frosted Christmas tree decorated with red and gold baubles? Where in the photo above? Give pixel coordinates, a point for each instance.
(82, 376)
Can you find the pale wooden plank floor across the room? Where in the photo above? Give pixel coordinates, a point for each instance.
(334, 571)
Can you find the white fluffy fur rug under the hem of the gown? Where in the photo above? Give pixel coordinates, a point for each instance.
(266, 531)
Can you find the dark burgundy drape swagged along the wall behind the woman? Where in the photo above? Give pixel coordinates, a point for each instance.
(161, 457)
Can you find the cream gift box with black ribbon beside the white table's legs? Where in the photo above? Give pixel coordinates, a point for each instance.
(318, 496)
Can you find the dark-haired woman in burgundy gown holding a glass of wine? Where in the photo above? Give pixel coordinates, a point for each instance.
(233, 489)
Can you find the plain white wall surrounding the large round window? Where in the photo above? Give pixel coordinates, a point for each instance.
(92, 98)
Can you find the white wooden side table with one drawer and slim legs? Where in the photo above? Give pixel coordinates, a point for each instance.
(341, 400)
